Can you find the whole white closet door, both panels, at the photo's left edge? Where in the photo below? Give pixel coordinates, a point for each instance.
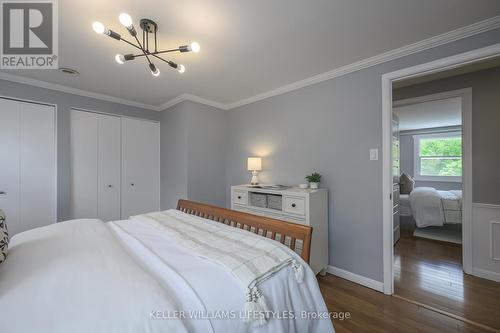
(28, 164)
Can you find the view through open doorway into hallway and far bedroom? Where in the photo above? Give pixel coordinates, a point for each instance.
(437, 164)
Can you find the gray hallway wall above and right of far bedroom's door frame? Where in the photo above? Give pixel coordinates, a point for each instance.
(485, 86)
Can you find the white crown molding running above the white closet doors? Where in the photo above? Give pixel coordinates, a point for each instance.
(75, 91)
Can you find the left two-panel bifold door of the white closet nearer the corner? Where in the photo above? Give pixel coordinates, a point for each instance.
(95, 165)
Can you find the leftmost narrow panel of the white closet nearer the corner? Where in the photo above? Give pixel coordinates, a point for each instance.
(84, 141)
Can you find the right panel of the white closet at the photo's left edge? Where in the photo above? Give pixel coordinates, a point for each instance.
(37, 181)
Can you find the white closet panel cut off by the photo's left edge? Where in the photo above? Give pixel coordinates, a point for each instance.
(9, 161)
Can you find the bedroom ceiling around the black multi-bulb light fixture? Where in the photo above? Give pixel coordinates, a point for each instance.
(247, 47)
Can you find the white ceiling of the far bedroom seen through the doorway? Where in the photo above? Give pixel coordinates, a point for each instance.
(439, 113)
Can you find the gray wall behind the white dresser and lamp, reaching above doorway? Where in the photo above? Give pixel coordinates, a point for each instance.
(329, 127)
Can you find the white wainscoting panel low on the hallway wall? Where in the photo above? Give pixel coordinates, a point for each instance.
(486, 241)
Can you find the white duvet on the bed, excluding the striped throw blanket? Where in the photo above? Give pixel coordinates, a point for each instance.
(88, 276)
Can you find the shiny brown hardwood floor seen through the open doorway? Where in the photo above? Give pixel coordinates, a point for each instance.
(430, 272)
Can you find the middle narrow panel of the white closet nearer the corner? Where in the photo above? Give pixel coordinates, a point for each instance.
(109, 168)
